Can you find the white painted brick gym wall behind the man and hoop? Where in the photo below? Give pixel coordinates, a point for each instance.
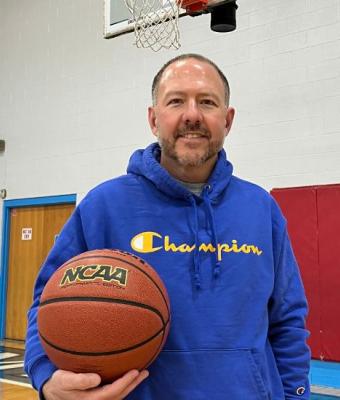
(73, 105)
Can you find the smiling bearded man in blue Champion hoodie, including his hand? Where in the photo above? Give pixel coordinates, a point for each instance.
(219, 243)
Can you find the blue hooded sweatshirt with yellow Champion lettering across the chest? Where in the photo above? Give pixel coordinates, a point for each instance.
(238, 304)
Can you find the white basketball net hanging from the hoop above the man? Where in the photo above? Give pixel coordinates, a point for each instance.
(156, 23)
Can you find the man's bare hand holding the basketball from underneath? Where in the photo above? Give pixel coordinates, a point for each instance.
(66, 385)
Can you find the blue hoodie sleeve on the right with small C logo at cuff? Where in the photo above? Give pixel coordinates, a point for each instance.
(287, 314)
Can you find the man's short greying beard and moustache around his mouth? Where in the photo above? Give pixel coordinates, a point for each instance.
(192, 157)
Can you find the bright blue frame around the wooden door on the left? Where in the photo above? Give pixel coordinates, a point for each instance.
(7, 206)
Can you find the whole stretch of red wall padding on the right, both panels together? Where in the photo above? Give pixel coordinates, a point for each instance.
(313, 215)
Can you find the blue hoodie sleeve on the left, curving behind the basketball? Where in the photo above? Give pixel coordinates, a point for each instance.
(69, 243)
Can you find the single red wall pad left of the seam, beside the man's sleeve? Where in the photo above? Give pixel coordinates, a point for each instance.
(299, 206)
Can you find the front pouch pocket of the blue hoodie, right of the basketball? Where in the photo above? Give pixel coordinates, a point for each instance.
(205, 375)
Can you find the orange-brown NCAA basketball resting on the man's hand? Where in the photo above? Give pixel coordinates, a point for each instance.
(104, 311)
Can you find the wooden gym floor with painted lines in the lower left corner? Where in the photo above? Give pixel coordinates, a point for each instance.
(14, 384)
